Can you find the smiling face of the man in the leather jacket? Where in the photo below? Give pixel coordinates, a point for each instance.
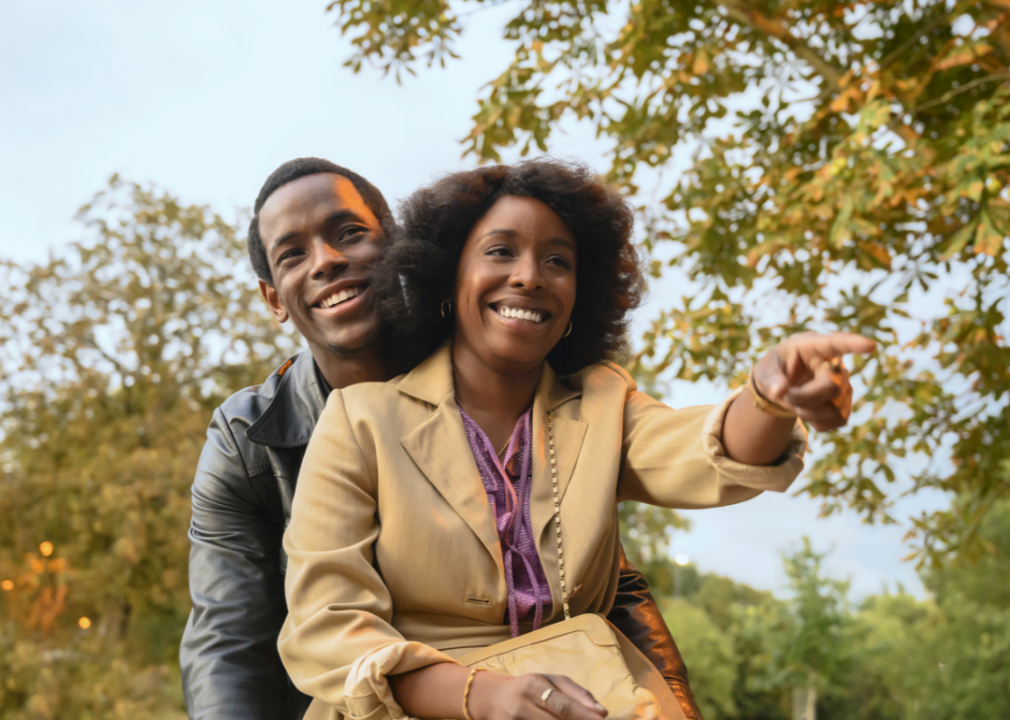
(322, 241)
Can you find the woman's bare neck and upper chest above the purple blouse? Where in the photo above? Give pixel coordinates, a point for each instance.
(495, 400)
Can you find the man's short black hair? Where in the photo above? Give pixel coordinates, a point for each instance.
(299, 168)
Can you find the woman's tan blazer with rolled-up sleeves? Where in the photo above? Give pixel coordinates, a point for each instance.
(394, 562)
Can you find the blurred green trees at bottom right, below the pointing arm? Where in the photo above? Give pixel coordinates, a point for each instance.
(889, 658)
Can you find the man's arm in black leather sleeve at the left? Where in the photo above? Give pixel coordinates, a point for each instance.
(231, 667)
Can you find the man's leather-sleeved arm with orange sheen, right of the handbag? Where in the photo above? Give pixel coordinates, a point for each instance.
(637, 615)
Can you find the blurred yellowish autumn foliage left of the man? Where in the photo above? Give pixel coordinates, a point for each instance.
(116, 353)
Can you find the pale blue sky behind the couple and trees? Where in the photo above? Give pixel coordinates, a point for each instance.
(206, 99)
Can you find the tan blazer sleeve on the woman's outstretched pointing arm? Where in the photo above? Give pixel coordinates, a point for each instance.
(676, 459)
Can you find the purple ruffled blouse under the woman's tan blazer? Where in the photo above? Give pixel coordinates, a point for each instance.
(508, 483)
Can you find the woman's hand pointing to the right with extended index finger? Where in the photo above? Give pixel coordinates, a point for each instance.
(804, 374)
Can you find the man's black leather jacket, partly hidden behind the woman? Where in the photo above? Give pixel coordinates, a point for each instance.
(242, 504)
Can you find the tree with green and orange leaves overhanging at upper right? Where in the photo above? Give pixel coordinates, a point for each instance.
(850, 164)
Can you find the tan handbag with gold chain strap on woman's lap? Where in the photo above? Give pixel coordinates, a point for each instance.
(587, 649)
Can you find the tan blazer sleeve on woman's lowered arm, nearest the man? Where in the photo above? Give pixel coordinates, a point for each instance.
(338, 644)
